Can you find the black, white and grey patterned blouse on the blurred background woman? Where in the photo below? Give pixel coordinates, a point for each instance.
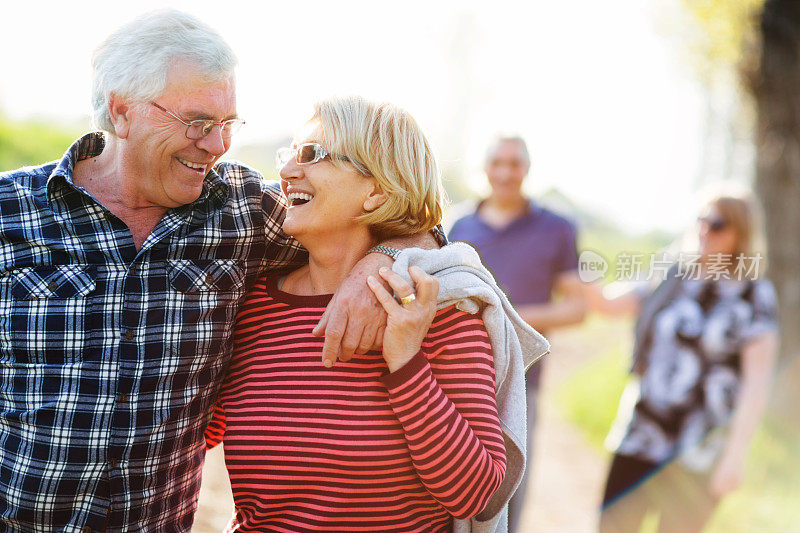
(687, 392)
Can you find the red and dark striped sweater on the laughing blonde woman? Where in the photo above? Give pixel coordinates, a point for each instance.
(355, 447)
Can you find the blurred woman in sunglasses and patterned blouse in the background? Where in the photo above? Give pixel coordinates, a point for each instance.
(704, 354)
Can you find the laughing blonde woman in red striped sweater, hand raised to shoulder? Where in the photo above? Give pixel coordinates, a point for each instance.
(404, 439)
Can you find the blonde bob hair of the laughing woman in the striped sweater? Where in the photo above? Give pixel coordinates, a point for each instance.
(383, 141)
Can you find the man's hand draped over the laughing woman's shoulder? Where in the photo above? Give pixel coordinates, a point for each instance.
(354, 320)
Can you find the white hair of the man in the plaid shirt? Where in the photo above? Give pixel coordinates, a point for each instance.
(133, 61)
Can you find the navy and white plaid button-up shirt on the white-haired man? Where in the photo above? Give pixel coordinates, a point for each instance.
(109, 356)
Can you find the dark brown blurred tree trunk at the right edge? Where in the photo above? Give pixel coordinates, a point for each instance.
(775, 84)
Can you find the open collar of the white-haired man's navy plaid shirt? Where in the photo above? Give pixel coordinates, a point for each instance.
(215, 187)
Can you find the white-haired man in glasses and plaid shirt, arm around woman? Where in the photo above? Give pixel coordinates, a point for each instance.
(122, 267)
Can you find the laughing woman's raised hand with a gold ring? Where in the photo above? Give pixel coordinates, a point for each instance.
(407, 324)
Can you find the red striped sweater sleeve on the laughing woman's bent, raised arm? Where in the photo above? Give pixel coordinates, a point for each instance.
(444, 399)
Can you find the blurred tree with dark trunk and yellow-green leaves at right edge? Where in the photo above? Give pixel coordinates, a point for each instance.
(754, 45)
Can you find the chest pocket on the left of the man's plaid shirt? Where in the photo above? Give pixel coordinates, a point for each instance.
(44, 320)
